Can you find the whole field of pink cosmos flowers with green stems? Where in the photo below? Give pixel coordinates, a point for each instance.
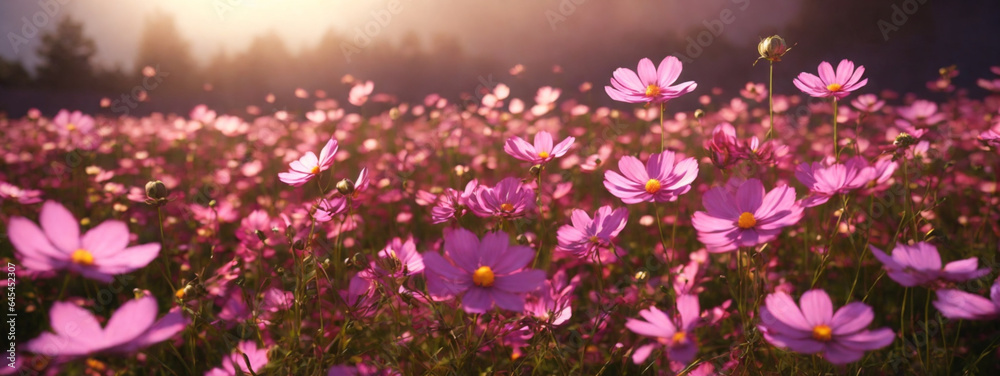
(839, 229)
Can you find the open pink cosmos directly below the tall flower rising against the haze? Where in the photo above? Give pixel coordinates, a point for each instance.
(659, 181)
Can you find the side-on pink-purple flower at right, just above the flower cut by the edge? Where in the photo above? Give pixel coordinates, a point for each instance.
(920, 264)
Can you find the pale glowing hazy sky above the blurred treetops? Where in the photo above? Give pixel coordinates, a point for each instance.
(488, 26)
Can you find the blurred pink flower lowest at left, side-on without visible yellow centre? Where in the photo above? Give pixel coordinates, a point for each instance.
(77, 333)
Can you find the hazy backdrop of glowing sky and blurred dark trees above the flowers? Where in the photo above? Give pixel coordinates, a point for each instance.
(243, 50)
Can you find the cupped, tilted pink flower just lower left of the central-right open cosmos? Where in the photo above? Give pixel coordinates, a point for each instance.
(584, 236)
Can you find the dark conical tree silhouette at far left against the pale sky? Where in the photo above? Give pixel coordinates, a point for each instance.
(66, 54)
